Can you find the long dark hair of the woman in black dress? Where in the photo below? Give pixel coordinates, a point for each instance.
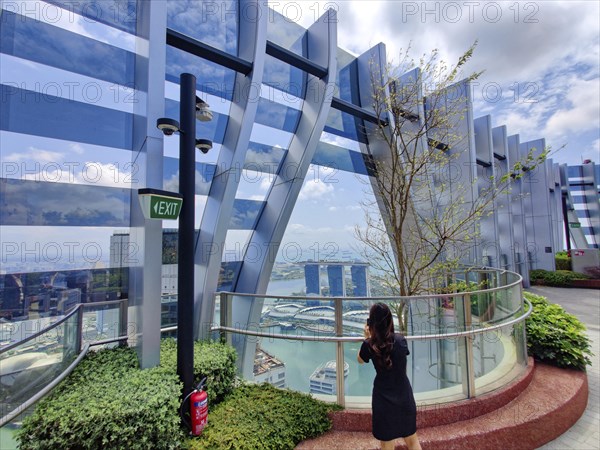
(381, 328)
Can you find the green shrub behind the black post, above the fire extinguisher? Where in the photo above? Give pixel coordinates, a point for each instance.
(213, 360)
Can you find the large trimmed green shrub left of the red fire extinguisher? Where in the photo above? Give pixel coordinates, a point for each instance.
(108, 403)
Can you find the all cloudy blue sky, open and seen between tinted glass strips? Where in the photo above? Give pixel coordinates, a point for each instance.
(541, 79)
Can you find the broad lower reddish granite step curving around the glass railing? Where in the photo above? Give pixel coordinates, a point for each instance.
(546, 408)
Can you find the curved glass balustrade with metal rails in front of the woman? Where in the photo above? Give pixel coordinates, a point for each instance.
(462, 344)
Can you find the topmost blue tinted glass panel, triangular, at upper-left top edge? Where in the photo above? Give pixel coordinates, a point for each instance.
(121, 14)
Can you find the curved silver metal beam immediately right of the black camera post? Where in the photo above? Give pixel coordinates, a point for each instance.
(219, 207)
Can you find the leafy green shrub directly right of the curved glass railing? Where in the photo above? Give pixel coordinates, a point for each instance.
(555, 336)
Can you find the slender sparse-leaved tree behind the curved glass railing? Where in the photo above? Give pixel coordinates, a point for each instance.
(421, 222)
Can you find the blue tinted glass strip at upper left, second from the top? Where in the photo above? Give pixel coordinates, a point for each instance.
(36, 41)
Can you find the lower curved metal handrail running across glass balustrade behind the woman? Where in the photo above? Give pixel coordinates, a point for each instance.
(419, 337)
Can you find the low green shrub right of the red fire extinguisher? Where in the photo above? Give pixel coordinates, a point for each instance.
(263, 417)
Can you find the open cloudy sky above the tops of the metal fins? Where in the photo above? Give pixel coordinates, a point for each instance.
(540, 59)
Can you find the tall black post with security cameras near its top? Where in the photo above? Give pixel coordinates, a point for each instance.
(191, 108)
